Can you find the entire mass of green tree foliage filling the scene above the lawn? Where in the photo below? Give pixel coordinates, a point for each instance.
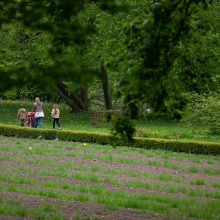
(113, 55)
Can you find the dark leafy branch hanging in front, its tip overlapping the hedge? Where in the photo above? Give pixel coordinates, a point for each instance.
(153, 48)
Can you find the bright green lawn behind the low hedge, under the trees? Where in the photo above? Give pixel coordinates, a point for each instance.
(81, 122)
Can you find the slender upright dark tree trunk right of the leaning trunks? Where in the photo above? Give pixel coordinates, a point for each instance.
(105, 87)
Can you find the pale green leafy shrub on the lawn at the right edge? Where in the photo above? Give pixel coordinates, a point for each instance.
(203, 111)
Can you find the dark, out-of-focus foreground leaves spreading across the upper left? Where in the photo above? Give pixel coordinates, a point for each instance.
(58, 19)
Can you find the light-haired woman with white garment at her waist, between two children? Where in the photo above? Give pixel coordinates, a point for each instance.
(38, 113)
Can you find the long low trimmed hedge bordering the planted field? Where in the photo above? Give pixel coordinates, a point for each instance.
(196, 147)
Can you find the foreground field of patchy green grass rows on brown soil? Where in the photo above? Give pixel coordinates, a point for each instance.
(63, 180)
